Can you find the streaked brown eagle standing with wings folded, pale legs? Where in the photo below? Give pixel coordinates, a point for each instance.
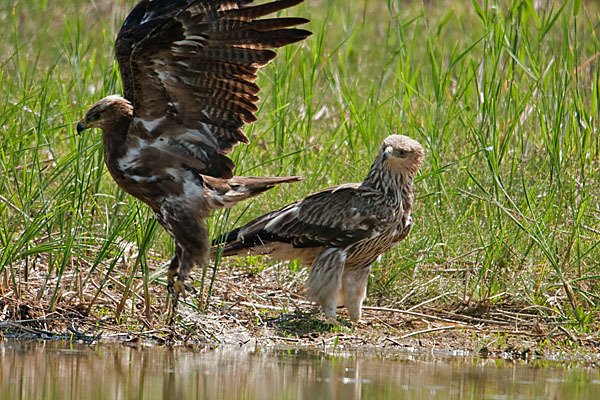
(342, 230)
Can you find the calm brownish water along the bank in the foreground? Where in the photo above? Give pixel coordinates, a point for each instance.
(59, 370)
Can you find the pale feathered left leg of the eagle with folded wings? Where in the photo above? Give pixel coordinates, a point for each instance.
(325, 281)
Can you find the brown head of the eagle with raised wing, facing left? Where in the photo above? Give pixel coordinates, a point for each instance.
(106, 111)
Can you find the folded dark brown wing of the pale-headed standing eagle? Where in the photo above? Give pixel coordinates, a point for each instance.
(335, 217)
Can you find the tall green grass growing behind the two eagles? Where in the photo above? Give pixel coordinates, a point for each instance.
(503, 96)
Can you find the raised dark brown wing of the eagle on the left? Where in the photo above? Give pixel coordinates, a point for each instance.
(189, 68)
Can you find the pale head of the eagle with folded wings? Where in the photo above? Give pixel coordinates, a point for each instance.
(401, 153)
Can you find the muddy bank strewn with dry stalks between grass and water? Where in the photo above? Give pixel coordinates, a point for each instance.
(249, 307)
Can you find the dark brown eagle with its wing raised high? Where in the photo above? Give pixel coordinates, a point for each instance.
(188, 69)
